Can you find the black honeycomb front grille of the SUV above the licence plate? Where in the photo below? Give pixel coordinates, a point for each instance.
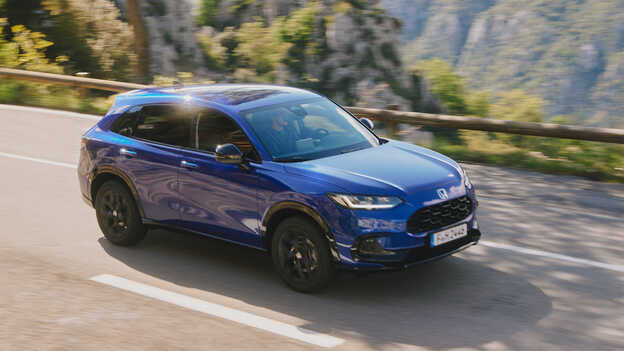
(439, 215)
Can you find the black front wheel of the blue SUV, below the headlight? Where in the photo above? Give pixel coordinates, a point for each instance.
(301, 255)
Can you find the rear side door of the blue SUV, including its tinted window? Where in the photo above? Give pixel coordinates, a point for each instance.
(151, 156)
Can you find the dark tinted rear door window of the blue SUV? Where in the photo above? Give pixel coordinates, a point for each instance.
(167, 124)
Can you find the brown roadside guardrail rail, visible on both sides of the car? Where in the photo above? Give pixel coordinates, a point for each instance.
(607, 135)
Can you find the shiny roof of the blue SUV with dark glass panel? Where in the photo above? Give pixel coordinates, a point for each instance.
(232, 96)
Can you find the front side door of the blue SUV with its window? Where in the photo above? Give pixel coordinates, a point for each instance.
(219, 199)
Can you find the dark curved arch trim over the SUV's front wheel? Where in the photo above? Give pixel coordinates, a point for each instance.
(280, 211)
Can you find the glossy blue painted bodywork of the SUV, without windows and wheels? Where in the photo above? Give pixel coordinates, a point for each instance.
(232, 202)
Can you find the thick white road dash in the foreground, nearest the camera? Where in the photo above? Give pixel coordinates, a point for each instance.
(212, 309)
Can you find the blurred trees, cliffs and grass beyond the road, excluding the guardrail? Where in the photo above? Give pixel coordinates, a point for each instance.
(557, 61)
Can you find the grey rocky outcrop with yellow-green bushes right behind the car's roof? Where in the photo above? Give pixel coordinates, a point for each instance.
(348, 50)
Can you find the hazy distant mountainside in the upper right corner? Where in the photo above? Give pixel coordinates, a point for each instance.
(571, 53)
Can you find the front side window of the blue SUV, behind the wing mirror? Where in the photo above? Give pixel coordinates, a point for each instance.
(215, 128)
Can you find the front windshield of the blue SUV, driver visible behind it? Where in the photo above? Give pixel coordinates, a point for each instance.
(307, 130)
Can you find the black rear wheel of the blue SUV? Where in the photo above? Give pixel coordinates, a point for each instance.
(117, 214)
